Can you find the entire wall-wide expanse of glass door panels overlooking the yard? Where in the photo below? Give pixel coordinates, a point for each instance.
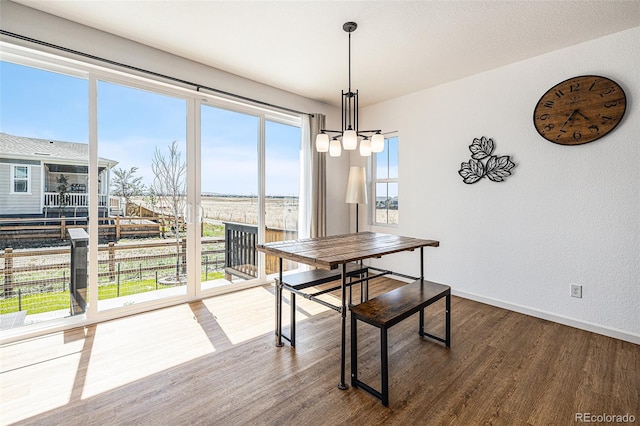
(166, 174)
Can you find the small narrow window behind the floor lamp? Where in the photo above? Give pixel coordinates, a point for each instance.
(385, 182)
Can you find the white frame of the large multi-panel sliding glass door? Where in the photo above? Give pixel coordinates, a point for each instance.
(194, 98)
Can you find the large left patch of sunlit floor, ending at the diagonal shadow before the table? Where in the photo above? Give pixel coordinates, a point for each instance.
(42, 373)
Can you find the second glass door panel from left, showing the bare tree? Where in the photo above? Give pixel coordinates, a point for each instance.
(142, 254)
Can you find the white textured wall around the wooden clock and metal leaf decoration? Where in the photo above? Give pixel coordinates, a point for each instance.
(568, 214)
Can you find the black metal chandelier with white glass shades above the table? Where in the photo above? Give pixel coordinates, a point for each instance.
(348, 137)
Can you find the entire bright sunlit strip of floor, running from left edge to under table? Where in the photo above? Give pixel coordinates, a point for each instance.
(45, 373)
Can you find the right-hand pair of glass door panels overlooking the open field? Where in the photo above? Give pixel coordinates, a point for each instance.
(250, 187)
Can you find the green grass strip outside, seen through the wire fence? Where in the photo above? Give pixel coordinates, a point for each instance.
(51, 301)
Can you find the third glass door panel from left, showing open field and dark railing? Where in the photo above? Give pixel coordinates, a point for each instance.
(229, 155)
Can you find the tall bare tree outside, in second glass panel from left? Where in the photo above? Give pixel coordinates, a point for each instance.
(170, 186)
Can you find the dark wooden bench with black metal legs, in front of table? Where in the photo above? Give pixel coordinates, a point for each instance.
(388, 310)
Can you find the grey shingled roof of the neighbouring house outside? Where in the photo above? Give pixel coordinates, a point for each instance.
(20, 147)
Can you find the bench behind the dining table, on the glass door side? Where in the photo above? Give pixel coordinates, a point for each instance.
(301, 280)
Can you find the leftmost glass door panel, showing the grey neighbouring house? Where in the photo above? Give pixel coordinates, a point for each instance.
(44, 153)
